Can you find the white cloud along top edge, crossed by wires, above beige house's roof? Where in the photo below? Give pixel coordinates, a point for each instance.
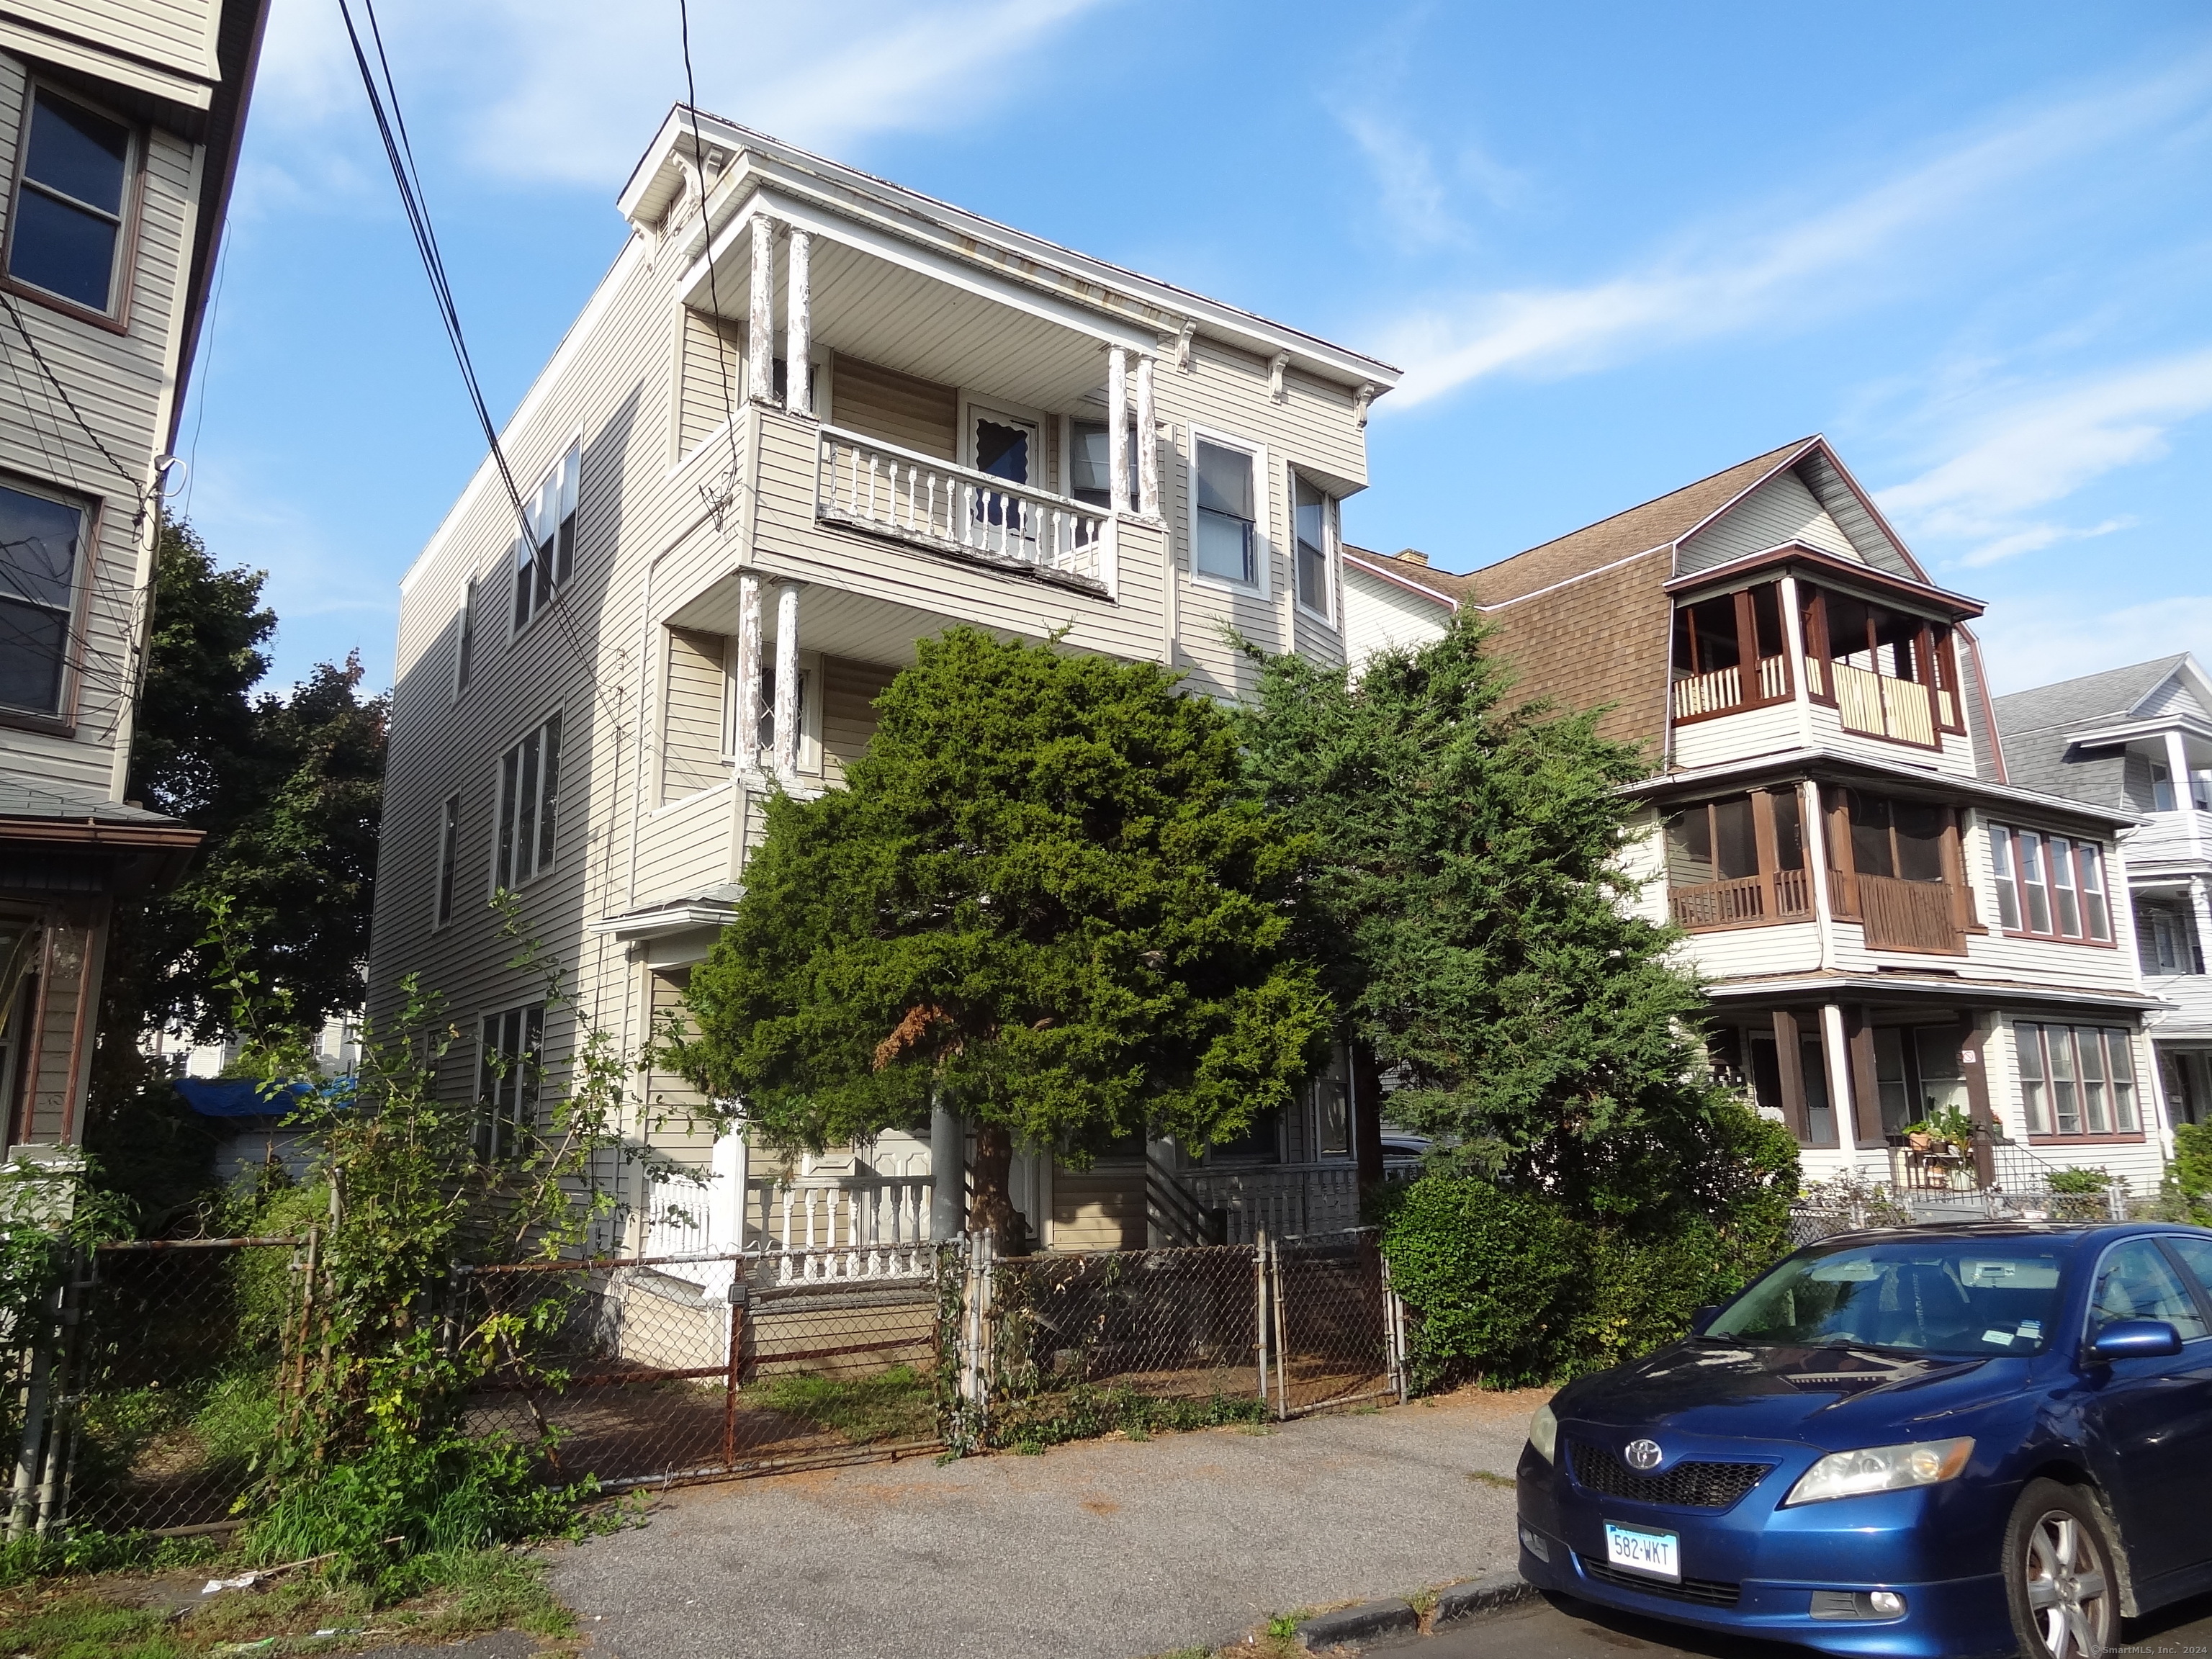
(567, 92)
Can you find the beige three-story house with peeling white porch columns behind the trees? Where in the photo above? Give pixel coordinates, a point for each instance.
(806, 421)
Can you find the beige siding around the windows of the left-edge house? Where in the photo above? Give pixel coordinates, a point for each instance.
(123, 388)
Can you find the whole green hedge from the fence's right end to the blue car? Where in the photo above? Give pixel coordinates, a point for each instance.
(1507, 1288)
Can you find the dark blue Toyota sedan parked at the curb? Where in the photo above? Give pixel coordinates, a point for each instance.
(1928, 1441)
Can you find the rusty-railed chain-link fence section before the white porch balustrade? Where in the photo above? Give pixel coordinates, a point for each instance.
(693, 1368)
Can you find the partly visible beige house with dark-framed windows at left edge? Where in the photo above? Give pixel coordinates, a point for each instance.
(121, 134)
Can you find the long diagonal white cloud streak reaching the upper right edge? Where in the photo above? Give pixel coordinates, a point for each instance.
(1726, 282)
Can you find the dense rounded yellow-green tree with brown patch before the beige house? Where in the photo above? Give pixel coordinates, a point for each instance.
(1043, 899)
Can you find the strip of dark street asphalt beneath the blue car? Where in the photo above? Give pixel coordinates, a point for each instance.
(1565, 1629)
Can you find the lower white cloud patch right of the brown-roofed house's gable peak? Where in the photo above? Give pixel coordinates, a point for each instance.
(2036, 452)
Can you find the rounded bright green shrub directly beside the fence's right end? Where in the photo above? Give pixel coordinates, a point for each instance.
(1488, 1273)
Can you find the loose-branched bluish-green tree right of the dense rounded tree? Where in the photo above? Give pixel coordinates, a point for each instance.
(1468, 910)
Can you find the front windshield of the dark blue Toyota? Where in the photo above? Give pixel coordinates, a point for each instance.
(1939, 1297)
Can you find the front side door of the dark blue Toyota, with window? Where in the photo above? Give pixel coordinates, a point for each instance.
(2151, 1421)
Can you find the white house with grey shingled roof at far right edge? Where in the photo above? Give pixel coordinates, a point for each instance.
(2140, 740)
